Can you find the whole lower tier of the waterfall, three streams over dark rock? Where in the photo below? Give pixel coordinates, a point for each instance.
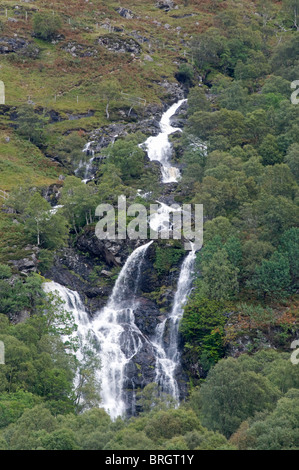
(120, 344)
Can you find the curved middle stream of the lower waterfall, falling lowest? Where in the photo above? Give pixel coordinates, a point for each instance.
(118, 337)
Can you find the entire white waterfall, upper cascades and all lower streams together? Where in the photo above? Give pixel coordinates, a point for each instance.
(117, 338)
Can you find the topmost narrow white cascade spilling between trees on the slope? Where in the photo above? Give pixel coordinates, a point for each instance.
(160, 149)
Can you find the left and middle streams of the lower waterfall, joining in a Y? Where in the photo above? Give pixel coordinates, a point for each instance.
(113, 328)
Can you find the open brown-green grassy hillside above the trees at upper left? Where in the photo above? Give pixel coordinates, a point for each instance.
(55, 79)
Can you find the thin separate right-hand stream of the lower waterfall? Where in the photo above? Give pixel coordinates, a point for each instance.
(168, 356)
